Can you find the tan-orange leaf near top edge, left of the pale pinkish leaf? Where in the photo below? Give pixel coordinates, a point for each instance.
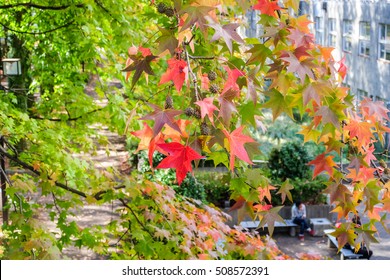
(196, 14)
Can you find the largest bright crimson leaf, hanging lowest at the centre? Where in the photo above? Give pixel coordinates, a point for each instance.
(179, 157)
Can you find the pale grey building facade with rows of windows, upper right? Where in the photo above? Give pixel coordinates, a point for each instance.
(359, 30)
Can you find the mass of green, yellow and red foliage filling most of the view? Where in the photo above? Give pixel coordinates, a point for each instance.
(194, 91)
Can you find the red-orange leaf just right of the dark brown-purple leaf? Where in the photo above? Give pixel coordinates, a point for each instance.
(177, 72)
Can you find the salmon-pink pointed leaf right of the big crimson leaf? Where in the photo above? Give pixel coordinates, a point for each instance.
(236, 141)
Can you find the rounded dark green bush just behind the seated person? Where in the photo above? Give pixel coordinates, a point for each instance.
(290, 161)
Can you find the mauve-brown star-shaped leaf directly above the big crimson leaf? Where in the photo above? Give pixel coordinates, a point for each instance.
(162, 117)
